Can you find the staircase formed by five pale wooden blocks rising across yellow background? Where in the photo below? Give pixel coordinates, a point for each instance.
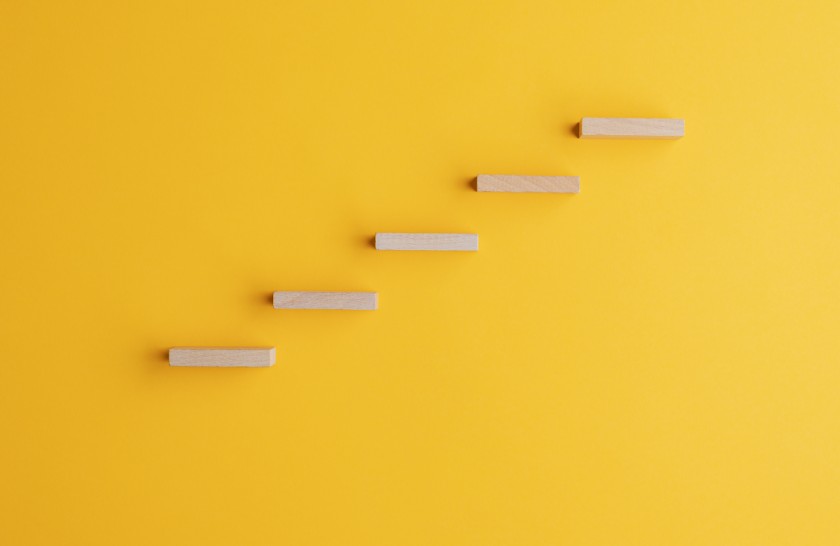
(260, 357)
